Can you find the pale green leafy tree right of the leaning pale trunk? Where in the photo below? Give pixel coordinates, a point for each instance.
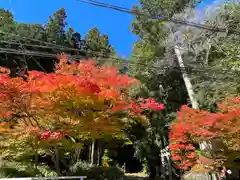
(217, 53)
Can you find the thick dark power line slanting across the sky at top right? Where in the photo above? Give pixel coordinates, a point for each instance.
(159, 17)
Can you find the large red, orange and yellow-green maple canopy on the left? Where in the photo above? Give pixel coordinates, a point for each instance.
(80, 100)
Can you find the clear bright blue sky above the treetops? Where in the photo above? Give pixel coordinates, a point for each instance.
(82, 17)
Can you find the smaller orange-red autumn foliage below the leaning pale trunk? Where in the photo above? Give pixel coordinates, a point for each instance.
(193, 126)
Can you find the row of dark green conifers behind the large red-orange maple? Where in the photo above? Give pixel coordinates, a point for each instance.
(34, 38)
